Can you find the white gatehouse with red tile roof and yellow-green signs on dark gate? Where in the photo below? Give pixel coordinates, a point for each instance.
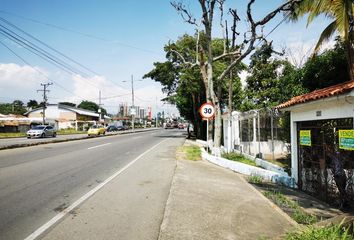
(318, 122)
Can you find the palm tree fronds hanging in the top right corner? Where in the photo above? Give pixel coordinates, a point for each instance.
(341, 12)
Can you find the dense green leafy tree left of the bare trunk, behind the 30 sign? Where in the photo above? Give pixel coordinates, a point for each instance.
(183, 85)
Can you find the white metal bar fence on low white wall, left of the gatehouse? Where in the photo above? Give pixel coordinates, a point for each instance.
(261, 133)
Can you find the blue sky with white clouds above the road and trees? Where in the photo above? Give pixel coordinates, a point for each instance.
(126, 38)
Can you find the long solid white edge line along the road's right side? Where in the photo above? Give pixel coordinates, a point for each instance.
(62, 214)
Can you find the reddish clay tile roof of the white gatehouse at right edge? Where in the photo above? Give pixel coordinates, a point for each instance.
(320, 93)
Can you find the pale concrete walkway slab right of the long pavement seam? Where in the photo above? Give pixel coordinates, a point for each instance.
(209, 202)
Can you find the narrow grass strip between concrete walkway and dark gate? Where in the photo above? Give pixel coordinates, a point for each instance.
(292, 207)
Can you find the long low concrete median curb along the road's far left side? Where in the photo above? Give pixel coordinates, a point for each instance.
(69, 139)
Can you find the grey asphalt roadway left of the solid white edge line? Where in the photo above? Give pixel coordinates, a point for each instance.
(38, 182)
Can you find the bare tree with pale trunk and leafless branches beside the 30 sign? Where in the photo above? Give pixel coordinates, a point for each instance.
(206, 58)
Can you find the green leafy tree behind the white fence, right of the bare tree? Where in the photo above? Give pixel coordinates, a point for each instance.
(271, 80)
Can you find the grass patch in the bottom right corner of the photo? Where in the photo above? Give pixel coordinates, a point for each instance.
(337, 232)
